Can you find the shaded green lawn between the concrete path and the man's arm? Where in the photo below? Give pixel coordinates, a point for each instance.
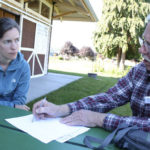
(81, 88)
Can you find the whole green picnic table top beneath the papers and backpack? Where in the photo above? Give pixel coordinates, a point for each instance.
(13, 139)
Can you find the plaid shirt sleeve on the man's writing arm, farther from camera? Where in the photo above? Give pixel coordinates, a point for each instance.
(116, 96)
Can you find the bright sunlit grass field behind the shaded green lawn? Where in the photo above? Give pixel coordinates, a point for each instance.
(106, 67)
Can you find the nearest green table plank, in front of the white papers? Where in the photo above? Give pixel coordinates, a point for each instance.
(13, 140)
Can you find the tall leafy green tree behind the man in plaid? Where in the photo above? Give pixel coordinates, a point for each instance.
(118, 29)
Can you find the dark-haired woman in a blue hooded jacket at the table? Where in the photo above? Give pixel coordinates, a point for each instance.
(14, 70)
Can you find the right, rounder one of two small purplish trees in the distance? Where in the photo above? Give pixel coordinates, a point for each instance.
(87, 52)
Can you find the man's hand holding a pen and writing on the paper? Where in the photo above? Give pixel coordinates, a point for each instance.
(45, 109)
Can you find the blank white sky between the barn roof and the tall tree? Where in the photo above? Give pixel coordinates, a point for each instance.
(79, 33)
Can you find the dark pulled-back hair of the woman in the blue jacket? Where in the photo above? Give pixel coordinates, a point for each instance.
(7, 24)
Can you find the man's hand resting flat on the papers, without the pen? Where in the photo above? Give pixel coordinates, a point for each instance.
(85, 118)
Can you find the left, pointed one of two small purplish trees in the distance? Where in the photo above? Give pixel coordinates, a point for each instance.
(69, 49)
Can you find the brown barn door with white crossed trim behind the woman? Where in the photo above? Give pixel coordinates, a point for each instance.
(35, 45)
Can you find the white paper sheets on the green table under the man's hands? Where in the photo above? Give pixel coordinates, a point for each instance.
(46, 130)
